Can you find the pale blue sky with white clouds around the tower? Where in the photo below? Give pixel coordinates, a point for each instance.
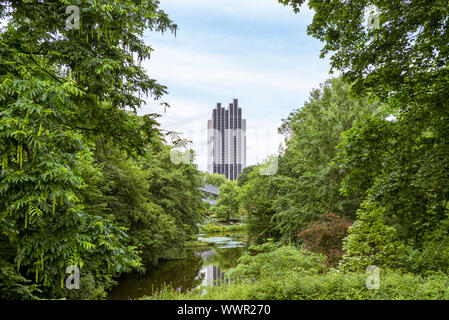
(254, 50)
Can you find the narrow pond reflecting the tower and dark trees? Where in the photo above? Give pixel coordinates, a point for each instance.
(201, 267)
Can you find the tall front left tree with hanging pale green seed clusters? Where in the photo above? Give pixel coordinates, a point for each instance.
(61, 89)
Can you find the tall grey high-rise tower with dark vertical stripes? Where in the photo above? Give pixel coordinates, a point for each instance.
(226, 146)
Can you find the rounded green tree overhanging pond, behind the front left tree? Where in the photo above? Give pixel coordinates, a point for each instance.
(157, 201)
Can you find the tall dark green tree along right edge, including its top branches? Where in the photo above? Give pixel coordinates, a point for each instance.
(402, 164)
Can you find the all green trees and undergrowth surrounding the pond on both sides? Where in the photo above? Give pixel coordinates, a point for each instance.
(363, 179)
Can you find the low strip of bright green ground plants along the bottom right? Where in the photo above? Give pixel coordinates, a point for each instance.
(330, 286)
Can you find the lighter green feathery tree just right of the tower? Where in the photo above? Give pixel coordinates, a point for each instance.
(307, 184)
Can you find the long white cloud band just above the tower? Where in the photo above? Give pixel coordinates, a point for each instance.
(218, 72)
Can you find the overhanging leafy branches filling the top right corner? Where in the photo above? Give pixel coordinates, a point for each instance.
(403, 58)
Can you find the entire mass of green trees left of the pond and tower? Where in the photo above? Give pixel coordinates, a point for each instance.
(84, 181)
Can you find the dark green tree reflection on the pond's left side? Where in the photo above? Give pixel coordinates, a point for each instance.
(180, 273)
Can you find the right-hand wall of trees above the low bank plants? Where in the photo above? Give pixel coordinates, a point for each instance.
(377, 136)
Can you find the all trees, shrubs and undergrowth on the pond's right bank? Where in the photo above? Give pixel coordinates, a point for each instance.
(363, 180)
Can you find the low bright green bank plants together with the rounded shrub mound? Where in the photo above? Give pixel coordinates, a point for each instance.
(286, 273)
